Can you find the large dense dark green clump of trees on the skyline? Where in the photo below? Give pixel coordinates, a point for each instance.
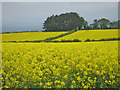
(65, 22)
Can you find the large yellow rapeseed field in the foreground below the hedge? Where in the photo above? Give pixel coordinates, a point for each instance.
(60, 65)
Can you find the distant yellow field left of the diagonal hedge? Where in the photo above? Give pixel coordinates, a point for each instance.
(30, 36)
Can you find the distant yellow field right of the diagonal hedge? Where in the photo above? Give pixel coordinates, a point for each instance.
(91, 34)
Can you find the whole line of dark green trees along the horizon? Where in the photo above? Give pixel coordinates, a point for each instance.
(72, 21)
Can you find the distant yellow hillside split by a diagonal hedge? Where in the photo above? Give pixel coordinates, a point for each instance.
(81, 35)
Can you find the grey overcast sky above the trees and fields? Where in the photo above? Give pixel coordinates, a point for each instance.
(20, 16)
